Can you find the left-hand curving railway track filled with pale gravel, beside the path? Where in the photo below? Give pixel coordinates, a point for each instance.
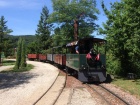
(51, 96)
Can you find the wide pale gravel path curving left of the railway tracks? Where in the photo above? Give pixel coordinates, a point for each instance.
(25, 88)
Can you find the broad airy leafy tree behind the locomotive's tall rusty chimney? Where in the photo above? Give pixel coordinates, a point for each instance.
(66, 11)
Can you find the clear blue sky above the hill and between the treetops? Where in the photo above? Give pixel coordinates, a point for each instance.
(22, 16)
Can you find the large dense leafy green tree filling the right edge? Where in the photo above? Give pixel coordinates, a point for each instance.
(123, 34)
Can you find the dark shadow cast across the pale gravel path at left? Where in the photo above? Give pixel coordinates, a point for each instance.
(9, 80)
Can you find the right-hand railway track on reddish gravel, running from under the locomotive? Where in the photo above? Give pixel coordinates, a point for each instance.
(109, 97)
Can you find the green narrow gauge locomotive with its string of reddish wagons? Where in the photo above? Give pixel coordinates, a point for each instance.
(88, 65)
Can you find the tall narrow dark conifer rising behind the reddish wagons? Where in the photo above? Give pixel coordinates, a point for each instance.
(43, 30)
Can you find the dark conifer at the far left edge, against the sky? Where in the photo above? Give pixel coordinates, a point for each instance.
(3, 31)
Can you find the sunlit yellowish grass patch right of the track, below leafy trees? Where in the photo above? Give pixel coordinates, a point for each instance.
(133, 86)
